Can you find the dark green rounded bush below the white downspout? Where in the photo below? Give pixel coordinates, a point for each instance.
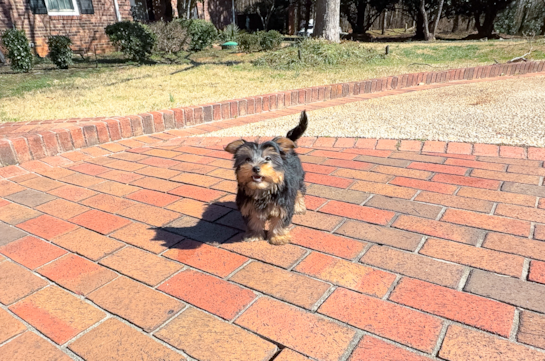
(135, 40)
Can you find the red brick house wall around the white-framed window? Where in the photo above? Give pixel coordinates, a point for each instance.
(85, 30)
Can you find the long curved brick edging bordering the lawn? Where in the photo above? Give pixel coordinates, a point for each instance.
(24, 141)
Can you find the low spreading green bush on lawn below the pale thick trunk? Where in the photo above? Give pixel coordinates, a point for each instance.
(312, 53)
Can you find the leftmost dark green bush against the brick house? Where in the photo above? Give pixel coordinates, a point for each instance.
(18, 47)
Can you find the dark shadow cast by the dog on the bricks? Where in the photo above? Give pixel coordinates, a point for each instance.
(220, 222)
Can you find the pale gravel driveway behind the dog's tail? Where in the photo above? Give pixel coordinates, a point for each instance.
(510, 112)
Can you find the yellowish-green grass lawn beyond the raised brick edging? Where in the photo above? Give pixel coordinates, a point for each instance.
(115, 86)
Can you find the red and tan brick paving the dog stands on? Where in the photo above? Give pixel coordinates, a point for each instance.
(433, 251)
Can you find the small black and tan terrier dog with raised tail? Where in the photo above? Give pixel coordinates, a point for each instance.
(271, 184)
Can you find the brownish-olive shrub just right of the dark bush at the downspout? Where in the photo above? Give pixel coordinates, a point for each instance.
(171, 38)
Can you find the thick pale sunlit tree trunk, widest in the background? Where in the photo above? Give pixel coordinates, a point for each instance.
(327, 19)
